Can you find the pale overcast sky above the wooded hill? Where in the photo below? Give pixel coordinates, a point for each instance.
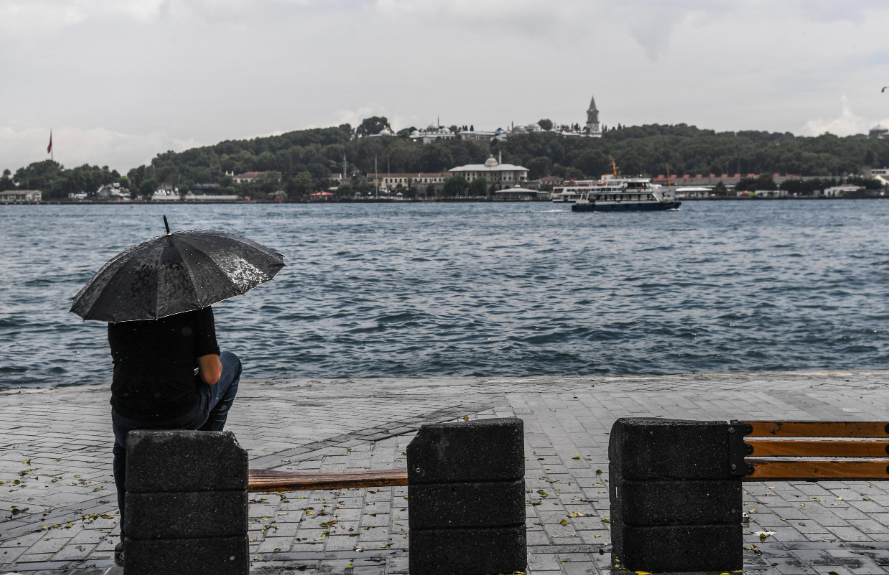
(120, 80)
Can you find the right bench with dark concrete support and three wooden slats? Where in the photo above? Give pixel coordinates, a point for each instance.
(675, 486)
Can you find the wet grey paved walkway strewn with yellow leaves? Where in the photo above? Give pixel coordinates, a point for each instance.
(57, 498)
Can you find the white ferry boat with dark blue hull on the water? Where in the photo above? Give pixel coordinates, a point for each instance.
(615, 193)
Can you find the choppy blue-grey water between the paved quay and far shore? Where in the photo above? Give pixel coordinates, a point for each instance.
(482, 289)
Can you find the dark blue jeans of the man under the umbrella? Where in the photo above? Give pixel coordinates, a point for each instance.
(209, 415)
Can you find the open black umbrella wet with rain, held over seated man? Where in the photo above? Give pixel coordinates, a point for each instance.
(175, 273)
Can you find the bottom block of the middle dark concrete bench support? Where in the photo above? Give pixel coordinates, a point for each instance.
(467, 551)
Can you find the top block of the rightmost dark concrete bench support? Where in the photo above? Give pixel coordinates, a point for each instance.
(654, 448)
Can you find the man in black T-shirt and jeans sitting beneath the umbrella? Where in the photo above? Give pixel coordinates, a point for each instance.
(168, 374)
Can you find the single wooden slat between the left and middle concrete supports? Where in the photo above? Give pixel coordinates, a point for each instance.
(270, 480)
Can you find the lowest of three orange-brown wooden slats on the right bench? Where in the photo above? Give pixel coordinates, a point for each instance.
(765, 469)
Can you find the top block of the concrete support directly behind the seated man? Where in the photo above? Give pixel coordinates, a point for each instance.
(168, 461)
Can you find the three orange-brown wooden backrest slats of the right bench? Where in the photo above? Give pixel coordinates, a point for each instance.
(815, 450)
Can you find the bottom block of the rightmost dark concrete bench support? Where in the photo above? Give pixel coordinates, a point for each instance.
(668, 548)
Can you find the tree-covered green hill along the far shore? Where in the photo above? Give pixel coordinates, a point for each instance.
(302, 161)
